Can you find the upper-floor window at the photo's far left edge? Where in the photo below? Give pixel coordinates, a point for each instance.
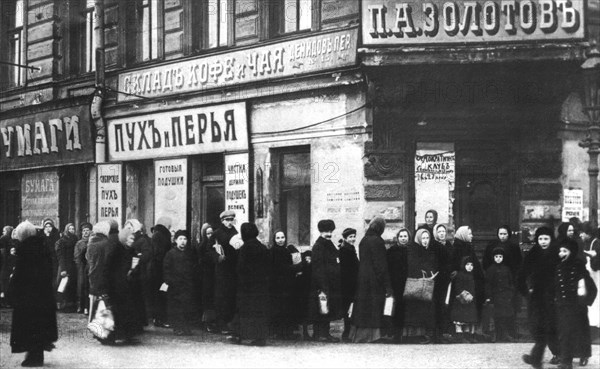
(13, 43)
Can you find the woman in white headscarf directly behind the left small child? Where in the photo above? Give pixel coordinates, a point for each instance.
(463, 247)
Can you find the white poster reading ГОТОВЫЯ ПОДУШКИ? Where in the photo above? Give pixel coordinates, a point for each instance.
(170, 194)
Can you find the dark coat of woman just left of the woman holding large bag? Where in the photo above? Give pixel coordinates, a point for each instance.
(397, 262)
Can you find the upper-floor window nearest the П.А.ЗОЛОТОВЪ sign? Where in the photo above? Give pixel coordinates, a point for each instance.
(290, 16)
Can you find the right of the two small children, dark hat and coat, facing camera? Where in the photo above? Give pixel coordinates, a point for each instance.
(499, 290)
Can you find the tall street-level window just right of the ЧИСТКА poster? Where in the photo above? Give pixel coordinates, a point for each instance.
(294, 199)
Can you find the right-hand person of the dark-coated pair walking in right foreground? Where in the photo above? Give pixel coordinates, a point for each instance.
(572, 295)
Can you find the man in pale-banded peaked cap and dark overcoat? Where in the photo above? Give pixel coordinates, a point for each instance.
(225, 258)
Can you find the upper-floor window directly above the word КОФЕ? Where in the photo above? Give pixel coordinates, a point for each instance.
(216, 26)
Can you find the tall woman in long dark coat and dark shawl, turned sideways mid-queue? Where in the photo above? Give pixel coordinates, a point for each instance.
(373, 285)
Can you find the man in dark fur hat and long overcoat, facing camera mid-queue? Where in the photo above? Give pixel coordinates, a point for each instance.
(325, 279)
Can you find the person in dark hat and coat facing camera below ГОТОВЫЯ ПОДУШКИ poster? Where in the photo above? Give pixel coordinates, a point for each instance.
(180, 271)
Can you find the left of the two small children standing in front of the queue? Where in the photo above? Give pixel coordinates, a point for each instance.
(464, 310)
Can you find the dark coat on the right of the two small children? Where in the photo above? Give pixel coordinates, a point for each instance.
(500, 289)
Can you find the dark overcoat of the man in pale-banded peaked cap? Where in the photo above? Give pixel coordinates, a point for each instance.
(225, 273)
